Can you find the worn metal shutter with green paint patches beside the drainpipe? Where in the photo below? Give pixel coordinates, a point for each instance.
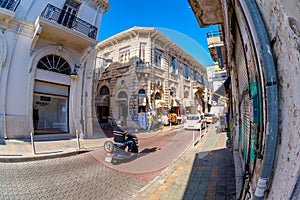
(249, 97)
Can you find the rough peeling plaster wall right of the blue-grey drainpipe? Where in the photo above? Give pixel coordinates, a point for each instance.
(282, 21)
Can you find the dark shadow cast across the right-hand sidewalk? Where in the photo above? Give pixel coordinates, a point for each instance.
(212, 176)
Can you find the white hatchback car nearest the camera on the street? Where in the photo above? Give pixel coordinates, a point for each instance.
(194, 121)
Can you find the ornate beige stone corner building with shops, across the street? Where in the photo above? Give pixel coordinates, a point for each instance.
(149, 73)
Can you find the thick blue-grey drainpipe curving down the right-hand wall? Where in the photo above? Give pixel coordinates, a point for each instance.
(265, 58)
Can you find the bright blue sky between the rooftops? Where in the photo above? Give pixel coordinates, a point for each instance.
(174, 18)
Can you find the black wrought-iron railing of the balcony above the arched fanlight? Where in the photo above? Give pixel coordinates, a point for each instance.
(69, 20)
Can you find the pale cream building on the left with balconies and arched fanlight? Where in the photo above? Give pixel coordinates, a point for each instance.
(41, 43)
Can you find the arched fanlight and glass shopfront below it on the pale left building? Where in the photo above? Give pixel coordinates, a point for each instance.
(50, 99)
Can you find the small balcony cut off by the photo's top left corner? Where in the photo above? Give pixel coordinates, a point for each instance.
(7, 9)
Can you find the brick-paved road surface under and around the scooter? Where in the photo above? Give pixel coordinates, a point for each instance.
(86, 176)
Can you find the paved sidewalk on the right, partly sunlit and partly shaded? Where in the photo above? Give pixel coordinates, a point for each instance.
(206, 171)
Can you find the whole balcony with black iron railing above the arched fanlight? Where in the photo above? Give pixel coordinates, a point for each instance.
(65, 28)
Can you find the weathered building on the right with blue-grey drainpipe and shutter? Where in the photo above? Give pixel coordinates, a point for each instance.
(261, 56)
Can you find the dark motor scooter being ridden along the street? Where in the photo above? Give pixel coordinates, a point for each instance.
(117, 151)
